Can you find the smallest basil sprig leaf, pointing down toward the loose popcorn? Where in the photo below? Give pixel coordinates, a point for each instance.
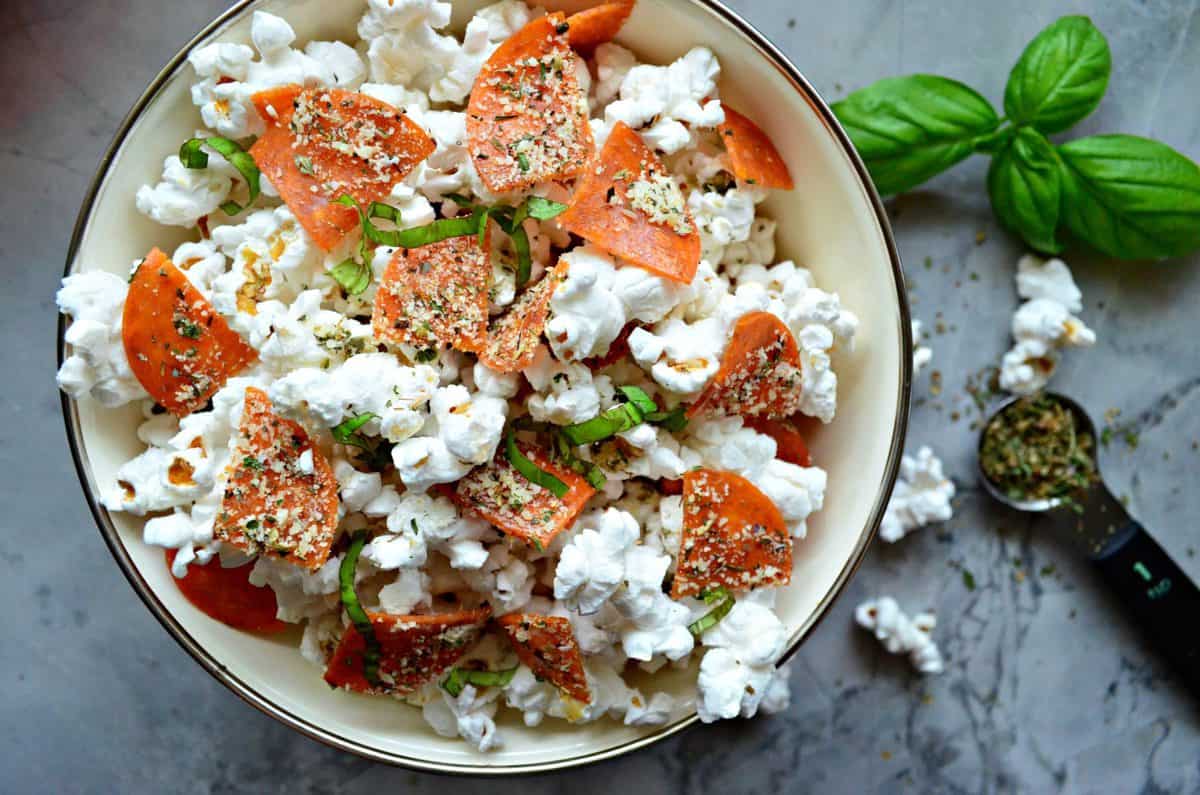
(1024, 183)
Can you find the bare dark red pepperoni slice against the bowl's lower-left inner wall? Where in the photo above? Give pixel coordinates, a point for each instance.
(227, 596)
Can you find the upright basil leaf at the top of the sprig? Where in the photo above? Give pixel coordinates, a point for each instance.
(1061, 77)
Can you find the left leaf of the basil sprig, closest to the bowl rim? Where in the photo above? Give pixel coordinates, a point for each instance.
(910, 129)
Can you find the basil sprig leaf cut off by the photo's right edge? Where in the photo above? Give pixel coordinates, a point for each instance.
(1130, 198)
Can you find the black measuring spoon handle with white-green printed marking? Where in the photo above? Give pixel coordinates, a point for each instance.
(1163, 600)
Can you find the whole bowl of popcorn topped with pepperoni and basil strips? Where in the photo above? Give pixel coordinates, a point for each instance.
(485, 387)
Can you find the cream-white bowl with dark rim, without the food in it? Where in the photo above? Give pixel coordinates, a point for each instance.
(833, 223)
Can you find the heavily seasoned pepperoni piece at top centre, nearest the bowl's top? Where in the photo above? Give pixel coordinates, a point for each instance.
(527, 118)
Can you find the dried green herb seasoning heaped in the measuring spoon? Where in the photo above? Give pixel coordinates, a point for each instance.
(1035, 451)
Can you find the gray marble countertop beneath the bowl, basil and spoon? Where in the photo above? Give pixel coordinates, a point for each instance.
(1047, 688)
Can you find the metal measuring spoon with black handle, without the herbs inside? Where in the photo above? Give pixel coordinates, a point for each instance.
(1161, 597)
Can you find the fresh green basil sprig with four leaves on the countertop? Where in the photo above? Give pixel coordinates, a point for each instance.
(1127, 198)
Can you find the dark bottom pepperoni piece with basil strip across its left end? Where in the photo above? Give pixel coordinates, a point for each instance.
(415, 650)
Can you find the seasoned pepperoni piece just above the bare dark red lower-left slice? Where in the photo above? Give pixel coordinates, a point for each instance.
(281, 497)
